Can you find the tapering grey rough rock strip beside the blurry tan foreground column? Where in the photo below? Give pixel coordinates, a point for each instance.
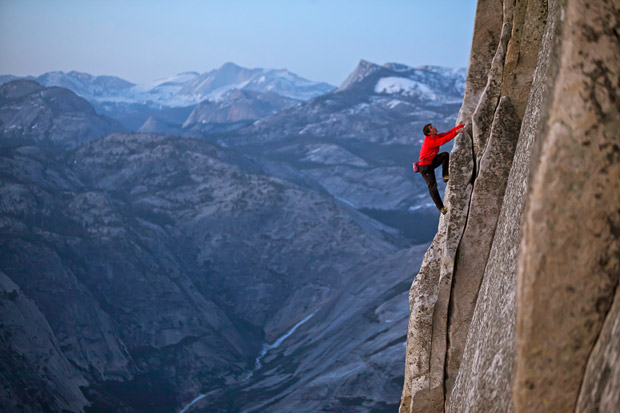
(485, 378)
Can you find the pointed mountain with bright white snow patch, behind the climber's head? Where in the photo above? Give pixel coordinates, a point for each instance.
(384, 104)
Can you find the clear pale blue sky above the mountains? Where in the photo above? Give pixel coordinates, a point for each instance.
(141, 40)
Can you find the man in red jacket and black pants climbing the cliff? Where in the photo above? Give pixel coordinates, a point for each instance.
(429, 160)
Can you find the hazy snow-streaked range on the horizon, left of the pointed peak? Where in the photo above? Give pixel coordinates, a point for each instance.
(134, 104)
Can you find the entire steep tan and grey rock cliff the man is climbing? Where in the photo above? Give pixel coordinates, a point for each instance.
(527, 262)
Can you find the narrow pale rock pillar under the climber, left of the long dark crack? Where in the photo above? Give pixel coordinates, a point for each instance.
(426, 340)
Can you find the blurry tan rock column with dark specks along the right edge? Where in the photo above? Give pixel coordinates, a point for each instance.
(570, 254)
